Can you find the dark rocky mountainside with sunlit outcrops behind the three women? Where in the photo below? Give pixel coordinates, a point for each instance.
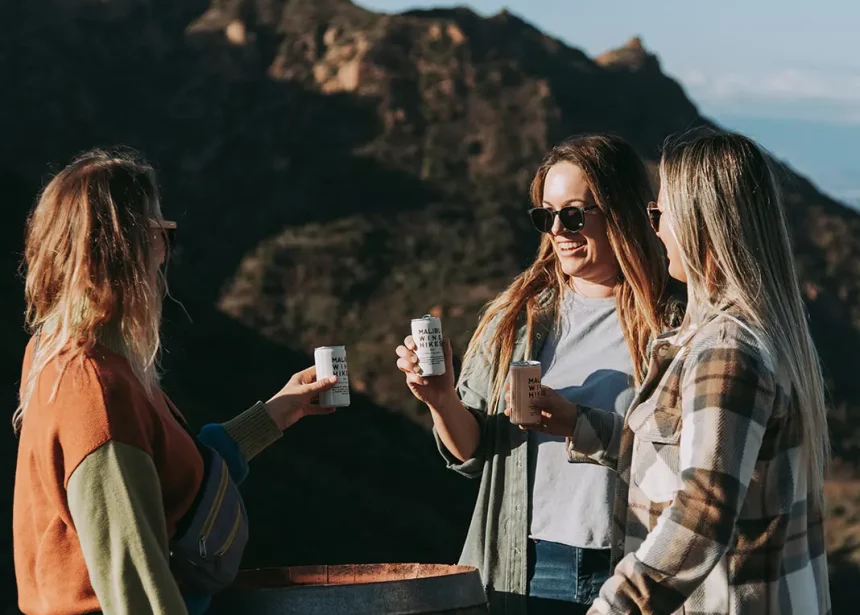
(335, 173)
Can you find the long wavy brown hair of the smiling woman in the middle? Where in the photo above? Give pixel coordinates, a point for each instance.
(622, 190)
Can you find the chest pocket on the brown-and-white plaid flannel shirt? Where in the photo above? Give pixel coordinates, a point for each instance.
(655, 469)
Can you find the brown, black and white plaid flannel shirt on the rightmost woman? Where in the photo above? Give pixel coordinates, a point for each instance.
(713, 513)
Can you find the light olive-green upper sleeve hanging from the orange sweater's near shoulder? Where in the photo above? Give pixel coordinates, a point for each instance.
(116, 506)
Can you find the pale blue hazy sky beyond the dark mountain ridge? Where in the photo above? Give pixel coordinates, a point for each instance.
(776, 69)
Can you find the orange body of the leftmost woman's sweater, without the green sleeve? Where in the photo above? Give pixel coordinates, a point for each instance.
(99, 400)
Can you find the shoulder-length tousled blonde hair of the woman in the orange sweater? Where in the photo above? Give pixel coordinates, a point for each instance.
(90, 268)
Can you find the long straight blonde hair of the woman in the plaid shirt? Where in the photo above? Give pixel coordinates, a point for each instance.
(726, 212)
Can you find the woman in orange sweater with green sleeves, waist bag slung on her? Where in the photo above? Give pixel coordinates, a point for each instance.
(109, 478)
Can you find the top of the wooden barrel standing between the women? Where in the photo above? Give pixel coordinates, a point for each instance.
(368, 589)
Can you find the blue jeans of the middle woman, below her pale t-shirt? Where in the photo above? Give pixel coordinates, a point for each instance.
(564, 580)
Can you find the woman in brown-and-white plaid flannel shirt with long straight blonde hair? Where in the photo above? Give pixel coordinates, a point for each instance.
(721, 456)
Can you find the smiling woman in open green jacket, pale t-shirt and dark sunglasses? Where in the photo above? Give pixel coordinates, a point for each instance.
(586, 309)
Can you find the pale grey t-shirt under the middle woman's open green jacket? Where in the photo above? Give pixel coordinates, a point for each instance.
(586, 360)
